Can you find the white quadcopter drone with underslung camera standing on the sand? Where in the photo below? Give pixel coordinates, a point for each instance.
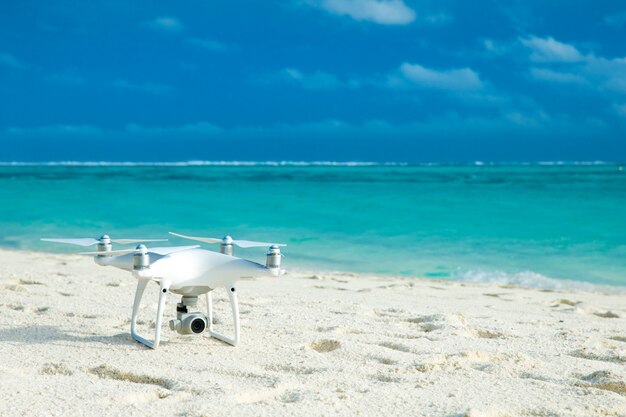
(187, 271)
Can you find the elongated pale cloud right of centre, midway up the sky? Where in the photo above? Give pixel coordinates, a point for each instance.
(456, 80)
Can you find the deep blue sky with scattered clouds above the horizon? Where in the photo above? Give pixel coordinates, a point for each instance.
(313, 80)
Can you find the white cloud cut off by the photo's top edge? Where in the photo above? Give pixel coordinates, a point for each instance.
(384, 12)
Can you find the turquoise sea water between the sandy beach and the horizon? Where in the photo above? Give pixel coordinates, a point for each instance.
(529, 224)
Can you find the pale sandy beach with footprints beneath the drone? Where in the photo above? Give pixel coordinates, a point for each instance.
(313, 345)
